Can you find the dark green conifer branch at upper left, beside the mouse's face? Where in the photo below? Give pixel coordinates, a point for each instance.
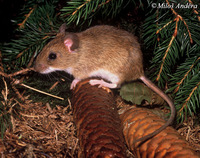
(35, 31)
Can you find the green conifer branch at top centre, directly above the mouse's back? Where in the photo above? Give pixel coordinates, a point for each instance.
(79, 11)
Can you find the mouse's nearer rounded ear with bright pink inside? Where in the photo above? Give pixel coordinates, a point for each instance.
(71, 42)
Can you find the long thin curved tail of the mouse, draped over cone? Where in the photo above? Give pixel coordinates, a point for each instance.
(152, 86)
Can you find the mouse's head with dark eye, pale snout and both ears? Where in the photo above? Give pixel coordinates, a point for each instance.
(58, 54)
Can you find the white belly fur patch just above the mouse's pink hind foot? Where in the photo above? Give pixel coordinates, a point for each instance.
(106, 75)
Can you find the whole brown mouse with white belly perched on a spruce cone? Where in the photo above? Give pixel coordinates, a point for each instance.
(100, 51)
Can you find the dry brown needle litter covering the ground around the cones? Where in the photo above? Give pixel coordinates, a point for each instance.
(42, 131)
